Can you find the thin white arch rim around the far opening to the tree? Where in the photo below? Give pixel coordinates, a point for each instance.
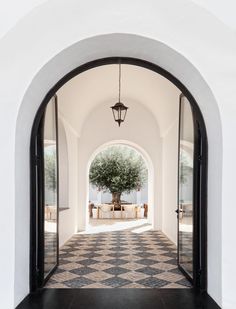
(148, 163)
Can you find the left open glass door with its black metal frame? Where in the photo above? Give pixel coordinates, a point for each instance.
(45, 185)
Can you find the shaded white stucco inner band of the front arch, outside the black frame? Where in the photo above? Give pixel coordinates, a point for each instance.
(131, 46)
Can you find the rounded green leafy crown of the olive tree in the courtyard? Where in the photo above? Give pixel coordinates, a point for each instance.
(118, 169)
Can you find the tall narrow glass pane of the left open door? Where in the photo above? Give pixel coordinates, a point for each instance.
(50, 189)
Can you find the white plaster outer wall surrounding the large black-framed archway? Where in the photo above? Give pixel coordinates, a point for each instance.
(201, 55)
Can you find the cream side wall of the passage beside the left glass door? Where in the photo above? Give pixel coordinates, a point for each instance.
(68, 217)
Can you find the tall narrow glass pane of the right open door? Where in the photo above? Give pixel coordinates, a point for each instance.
(186, 184)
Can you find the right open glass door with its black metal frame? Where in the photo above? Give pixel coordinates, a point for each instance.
(191, 212)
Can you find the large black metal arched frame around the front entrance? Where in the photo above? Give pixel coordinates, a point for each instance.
(200, 218)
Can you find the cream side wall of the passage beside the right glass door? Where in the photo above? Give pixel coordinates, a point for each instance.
(169, 178)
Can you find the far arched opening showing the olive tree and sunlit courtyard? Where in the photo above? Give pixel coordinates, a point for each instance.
(136, 196)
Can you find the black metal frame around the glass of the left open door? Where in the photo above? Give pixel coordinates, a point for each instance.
(37, 279)
